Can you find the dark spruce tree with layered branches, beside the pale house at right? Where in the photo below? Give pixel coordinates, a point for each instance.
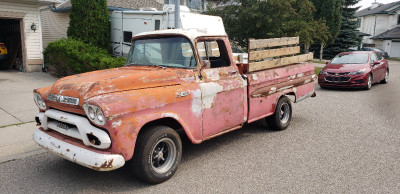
(348, 35)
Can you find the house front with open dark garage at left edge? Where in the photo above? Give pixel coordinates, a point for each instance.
(20, 30)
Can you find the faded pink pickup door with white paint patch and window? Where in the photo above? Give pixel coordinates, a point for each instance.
(222, 87)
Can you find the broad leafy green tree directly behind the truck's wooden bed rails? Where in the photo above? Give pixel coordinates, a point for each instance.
(270, 19)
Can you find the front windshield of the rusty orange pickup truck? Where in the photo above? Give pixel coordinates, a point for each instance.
(165, 52)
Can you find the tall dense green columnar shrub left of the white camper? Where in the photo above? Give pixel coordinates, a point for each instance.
(89, 22)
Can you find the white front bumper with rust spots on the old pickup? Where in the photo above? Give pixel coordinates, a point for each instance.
(84, 157)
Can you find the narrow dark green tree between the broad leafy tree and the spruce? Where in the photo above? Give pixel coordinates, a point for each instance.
(329, 12)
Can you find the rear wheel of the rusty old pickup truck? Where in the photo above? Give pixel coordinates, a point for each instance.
(282, 116)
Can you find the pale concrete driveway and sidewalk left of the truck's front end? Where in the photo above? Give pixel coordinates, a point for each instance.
(17, 112)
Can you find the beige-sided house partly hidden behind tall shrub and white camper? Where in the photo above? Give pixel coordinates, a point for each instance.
(55, 20)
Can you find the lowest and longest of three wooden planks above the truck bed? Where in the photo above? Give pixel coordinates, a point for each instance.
(256, 66)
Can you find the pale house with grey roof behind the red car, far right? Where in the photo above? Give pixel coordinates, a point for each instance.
(382, 23)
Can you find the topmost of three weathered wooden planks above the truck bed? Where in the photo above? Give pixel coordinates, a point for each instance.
(274, 42)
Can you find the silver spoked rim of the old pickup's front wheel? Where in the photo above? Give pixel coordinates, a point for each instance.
(163, 155)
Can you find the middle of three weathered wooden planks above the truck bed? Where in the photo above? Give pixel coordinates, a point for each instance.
(257, 55)
